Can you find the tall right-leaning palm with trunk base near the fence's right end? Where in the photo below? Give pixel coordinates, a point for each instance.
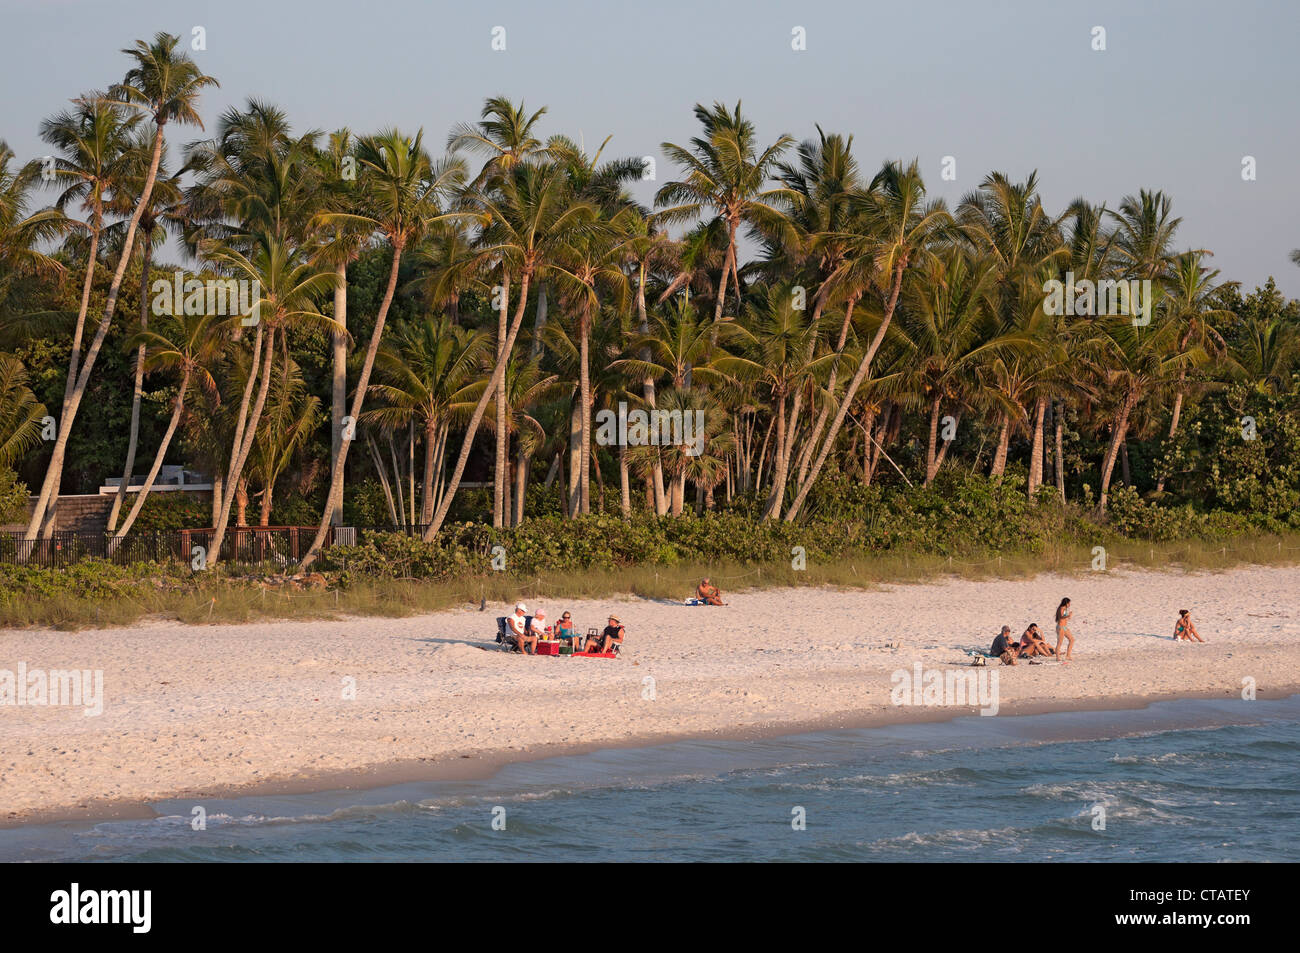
(406, 194)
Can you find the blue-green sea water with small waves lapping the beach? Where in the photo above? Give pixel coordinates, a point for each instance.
(1189, 781)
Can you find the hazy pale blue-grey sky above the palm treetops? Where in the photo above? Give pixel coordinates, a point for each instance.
(1182, 93)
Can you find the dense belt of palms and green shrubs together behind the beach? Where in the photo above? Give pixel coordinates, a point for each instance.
(883, 374)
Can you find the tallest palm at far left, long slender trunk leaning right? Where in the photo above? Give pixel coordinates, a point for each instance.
(166, 85)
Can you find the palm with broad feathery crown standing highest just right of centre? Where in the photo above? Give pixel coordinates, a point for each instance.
(726, 174)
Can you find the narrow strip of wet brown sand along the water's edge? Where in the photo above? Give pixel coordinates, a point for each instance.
(491, 764)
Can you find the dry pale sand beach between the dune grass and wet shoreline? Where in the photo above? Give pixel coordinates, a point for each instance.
(201, 711)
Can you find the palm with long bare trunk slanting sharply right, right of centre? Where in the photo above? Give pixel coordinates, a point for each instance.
(892, 232)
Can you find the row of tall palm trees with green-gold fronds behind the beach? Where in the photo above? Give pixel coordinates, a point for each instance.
(538, 292)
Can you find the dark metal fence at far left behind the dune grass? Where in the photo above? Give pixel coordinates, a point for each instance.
(263, 547)
